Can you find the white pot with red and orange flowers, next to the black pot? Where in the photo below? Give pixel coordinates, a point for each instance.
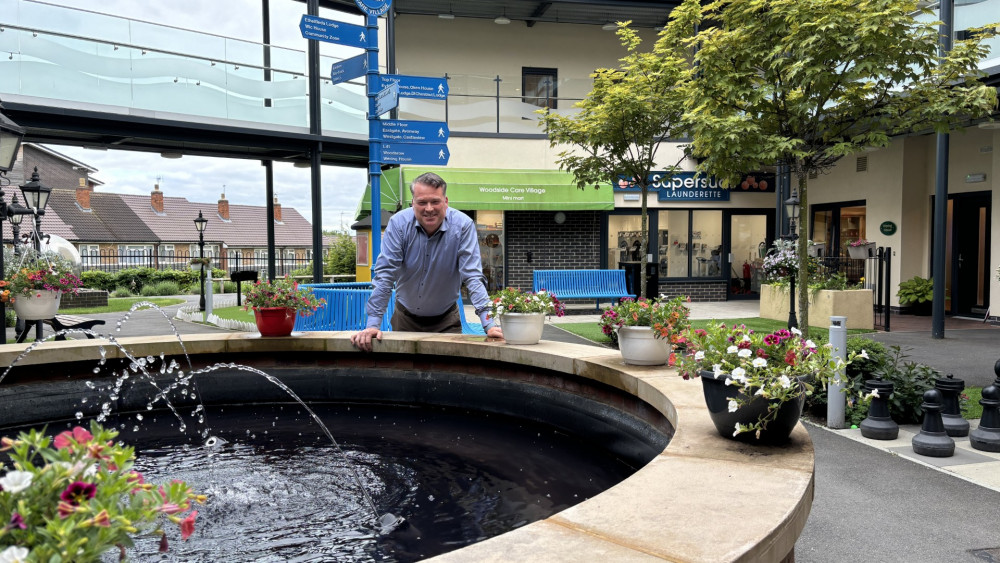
(645, 329)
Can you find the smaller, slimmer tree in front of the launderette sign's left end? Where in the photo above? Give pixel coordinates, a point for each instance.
(629, 112)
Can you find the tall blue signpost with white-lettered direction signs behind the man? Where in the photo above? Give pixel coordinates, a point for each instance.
(389, 141)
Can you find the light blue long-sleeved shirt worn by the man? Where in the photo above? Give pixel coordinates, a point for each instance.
(428, 272)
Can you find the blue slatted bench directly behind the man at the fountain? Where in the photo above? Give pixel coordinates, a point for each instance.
(345, 309)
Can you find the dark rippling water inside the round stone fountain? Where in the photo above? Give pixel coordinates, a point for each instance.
(279, 491)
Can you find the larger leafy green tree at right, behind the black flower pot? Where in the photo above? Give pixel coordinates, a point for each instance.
(806, 82)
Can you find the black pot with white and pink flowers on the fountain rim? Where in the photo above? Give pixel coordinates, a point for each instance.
(756, 382)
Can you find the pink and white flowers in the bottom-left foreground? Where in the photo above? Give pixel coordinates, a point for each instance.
(76, 496)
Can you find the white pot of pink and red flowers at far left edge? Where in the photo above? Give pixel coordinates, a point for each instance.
(36, 287)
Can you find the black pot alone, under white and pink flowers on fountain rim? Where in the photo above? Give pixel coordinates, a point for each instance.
(717, 395)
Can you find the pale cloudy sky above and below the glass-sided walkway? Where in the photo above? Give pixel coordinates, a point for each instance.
(204, 179)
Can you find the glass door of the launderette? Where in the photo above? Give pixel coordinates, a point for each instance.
(746, 243)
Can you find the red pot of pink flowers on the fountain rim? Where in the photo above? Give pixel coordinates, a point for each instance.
(276, 303)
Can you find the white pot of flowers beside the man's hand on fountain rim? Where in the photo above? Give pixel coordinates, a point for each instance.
(522, 313)
